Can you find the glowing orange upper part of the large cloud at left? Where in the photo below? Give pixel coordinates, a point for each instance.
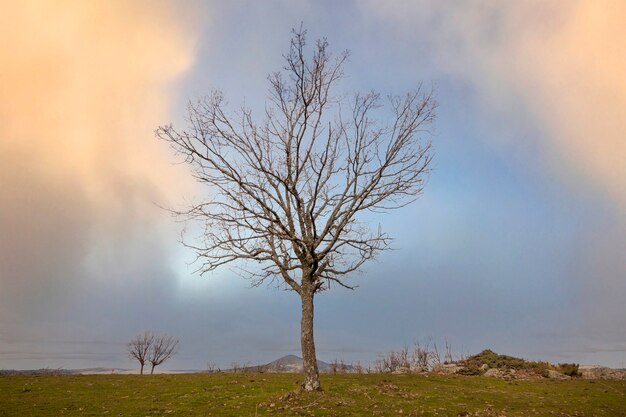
(83, 86)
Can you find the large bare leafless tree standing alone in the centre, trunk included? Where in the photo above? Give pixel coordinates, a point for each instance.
(288, 193)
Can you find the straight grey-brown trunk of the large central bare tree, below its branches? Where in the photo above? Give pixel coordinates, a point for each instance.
(311, 373)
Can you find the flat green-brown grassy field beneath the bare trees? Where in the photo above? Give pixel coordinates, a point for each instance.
(277, 395)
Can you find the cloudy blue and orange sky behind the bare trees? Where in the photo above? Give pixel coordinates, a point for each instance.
(518, 243)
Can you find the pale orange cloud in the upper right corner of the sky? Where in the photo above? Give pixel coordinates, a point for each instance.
(576, 87)
